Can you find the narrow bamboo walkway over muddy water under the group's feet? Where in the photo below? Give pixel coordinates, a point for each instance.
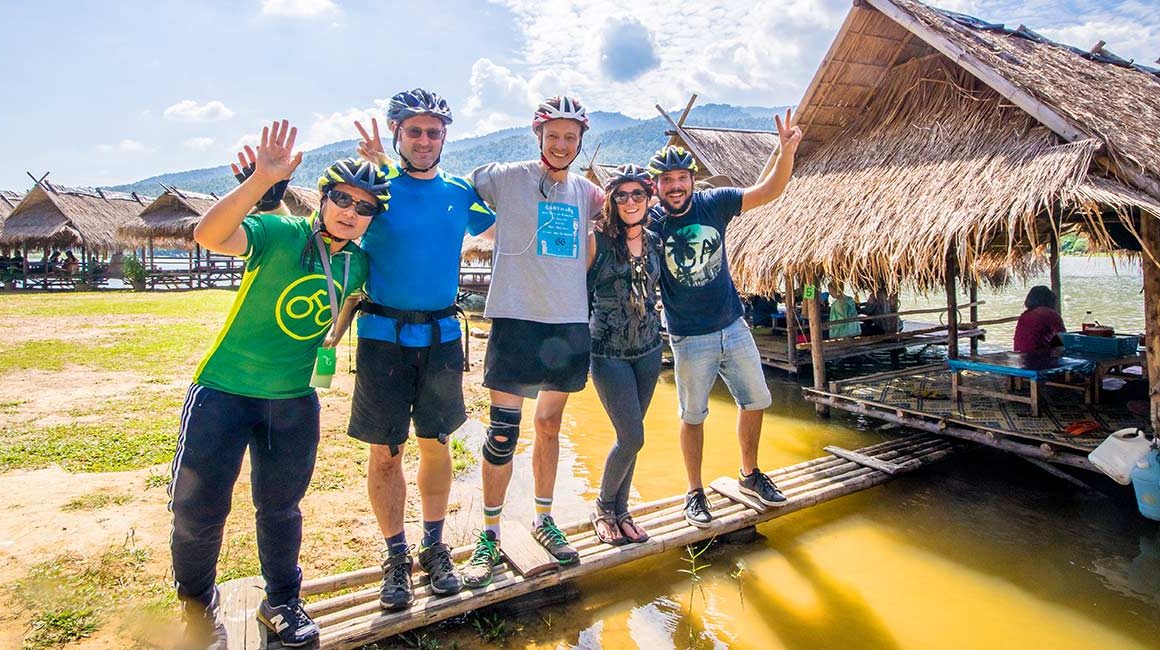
(353, 618)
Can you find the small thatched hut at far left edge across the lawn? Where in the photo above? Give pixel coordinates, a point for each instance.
(55, 218)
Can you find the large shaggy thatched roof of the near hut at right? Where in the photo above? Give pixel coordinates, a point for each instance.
(911, 156)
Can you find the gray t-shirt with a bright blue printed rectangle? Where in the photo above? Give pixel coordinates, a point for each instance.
(541, 257)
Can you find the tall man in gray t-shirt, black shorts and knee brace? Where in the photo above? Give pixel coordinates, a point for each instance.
(538, 301)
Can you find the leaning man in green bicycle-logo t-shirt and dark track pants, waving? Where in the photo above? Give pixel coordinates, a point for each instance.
(253, 391)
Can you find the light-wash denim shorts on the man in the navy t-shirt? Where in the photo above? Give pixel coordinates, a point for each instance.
(730, 353)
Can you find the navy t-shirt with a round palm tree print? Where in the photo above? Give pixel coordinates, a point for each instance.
(695, 284)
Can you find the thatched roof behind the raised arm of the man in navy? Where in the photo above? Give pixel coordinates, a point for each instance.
(737, 154)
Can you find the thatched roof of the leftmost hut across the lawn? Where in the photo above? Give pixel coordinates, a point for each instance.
(53, 215)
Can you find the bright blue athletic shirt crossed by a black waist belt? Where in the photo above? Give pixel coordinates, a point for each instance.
(415, 251)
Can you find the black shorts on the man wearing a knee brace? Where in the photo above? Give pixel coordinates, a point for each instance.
(525, 358)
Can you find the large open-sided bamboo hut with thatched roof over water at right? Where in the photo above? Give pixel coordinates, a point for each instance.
(942, 151)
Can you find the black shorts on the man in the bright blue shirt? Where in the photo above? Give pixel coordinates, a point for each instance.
(395, 386)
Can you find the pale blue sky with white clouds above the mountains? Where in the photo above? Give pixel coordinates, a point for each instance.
(103, 93)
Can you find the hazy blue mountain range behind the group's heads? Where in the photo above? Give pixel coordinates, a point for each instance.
(619, 138)
